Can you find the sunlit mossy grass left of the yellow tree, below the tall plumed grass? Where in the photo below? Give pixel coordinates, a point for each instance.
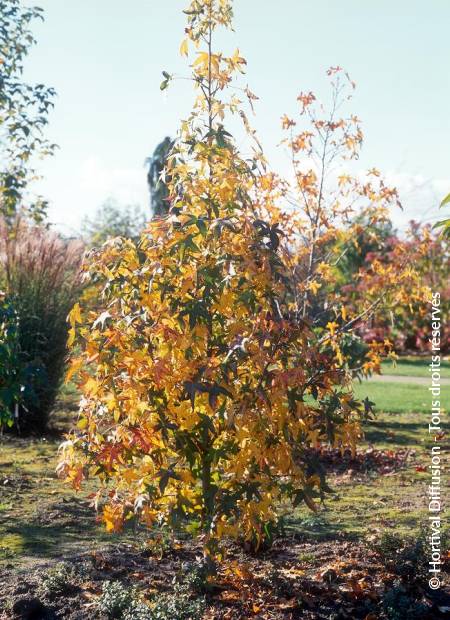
(40, 517)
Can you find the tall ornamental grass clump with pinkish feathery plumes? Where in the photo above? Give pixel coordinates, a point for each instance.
(39, 273)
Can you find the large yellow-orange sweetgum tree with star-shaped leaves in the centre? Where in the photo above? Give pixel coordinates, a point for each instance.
(205, 380)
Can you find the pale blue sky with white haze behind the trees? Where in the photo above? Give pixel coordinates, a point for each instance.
(105, 57)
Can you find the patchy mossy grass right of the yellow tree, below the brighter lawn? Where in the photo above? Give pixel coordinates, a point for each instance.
(366, 504)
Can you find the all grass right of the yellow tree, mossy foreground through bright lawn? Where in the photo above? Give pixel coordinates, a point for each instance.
(372, 503)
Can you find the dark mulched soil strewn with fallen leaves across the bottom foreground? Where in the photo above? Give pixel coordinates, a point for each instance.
(336, 580)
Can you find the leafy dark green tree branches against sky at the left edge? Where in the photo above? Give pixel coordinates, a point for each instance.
(23, 111)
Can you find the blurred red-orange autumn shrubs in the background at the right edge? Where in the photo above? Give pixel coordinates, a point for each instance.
(407, 323)
